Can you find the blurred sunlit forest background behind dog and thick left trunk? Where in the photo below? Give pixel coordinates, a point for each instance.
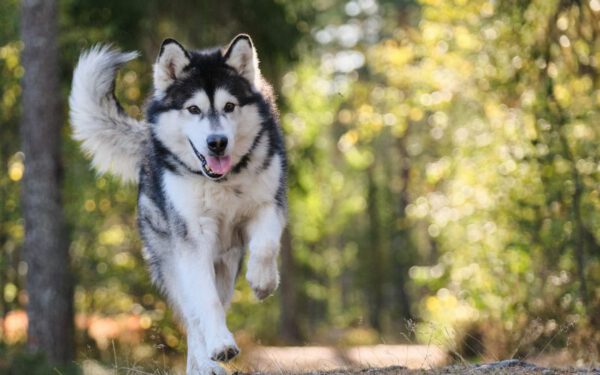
(443, 184)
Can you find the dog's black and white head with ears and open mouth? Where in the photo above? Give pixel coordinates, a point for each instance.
(205, 108)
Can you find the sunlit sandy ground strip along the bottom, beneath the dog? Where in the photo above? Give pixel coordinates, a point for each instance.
(367, 360)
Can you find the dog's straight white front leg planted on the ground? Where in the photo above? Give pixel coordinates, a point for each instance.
(191, 283)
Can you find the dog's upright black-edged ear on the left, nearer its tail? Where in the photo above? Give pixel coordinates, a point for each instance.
(171, 61)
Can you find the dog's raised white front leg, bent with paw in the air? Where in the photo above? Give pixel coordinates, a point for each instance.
(264, 231)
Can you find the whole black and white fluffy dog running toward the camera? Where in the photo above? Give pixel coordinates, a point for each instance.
(195, 223)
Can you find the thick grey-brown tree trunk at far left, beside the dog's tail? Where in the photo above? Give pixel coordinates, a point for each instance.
(49, 285)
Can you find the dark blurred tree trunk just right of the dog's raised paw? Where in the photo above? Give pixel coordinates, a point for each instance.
(290, 330)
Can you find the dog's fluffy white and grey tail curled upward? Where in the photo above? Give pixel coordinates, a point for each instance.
(115, 140)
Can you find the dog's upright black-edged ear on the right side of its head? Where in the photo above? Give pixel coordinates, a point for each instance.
(241, 56)
